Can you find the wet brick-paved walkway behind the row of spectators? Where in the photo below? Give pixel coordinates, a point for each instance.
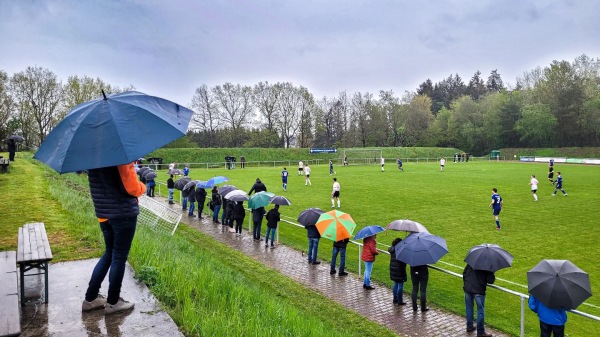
(376, 304)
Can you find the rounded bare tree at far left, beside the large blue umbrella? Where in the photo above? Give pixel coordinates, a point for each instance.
(37, 93)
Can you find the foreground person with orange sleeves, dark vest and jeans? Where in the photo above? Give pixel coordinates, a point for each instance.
(114, 191)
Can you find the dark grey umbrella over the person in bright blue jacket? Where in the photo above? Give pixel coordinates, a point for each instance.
(559, 284)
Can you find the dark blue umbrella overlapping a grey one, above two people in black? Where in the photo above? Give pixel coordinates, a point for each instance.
(421, 248)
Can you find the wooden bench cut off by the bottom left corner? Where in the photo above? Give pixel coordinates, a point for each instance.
(10, 324)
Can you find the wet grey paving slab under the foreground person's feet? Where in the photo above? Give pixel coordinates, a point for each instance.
(62, 315)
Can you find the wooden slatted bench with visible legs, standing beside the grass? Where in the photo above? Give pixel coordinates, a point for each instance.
(33, 251)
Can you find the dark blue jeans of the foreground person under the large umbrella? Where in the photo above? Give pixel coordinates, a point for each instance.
(118, 235)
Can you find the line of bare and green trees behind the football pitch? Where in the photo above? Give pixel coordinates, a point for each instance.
(554, 106)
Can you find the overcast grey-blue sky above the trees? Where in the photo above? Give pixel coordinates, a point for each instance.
(169, 48)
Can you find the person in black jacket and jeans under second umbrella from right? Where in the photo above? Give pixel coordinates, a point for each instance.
(474, 285)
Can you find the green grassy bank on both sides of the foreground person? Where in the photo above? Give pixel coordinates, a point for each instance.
(209, 289)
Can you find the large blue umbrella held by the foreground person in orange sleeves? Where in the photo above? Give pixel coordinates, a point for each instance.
(113, 130)
